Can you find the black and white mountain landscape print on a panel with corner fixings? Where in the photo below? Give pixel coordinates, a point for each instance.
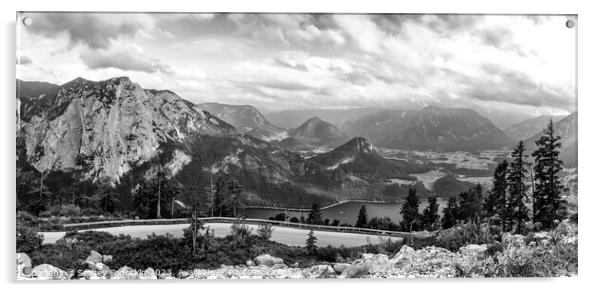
(214, 146)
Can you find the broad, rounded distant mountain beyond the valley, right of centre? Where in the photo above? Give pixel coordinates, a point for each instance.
(432, 128)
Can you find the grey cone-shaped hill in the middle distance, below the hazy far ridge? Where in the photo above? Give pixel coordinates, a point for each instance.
(314, 133)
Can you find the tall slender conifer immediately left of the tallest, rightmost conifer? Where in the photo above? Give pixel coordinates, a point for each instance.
(518, 213)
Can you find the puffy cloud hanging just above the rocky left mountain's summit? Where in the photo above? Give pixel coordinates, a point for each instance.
(127, 58)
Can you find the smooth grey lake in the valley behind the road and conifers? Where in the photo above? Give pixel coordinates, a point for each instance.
(345, 212)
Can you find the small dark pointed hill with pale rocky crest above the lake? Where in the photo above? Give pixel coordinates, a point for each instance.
(358, 158)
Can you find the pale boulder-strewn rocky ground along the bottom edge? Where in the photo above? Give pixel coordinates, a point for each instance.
(494, 259)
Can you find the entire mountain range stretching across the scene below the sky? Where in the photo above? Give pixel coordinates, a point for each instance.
(116, 133)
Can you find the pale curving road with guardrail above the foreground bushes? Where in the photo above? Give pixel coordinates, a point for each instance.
(284, 235)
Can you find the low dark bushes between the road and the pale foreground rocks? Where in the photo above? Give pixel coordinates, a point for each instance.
(552, 253)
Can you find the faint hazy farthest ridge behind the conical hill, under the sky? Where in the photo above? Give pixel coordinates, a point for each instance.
(293, 118)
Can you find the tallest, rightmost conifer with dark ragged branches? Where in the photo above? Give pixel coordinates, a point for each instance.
(548, 205)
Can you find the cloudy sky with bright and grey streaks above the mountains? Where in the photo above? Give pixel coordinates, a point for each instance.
(499, 65)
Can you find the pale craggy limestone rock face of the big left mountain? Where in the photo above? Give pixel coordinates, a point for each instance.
(106, 128)
